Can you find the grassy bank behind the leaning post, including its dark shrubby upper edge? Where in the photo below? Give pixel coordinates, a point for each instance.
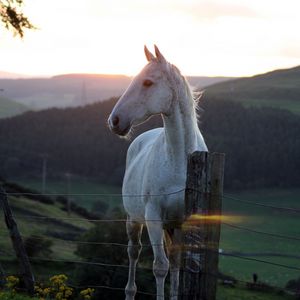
(40, 216)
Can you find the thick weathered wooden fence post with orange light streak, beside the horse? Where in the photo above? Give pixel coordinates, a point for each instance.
(201, 230)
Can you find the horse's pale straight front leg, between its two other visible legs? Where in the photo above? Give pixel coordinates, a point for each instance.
(161, 262)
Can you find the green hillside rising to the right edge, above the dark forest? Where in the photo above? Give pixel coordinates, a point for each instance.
(278, 89)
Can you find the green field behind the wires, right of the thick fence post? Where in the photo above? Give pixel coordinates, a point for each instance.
(267, 220)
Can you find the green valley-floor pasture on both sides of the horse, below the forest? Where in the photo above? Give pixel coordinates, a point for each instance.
(257, 246)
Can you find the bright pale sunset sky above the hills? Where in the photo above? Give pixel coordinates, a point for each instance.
(207, 38)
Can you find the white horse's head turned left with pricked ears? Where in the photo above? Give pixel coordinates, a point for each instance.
(149, 93)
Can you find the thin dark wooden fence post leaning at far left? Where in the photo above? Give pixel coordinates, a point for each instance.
(25, 268)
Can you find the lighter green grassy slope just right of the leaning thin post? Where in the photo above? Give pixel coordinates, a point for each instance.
(43, 227)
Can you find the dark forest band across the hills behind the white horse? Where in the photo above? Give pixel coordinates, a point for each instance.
(261, 144)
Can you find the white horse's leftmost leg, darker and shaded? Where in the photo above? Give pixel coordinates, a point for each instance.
(134, 231)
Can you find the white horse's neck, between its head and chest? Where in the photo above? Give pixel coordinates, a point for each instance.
(181, 129)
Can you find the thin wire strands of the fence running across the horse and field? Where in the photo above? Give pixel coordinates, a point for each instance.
(229, 253)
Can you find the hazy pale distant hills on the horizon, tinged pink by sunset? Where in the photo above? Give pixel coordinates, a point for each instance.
(75, 89)
